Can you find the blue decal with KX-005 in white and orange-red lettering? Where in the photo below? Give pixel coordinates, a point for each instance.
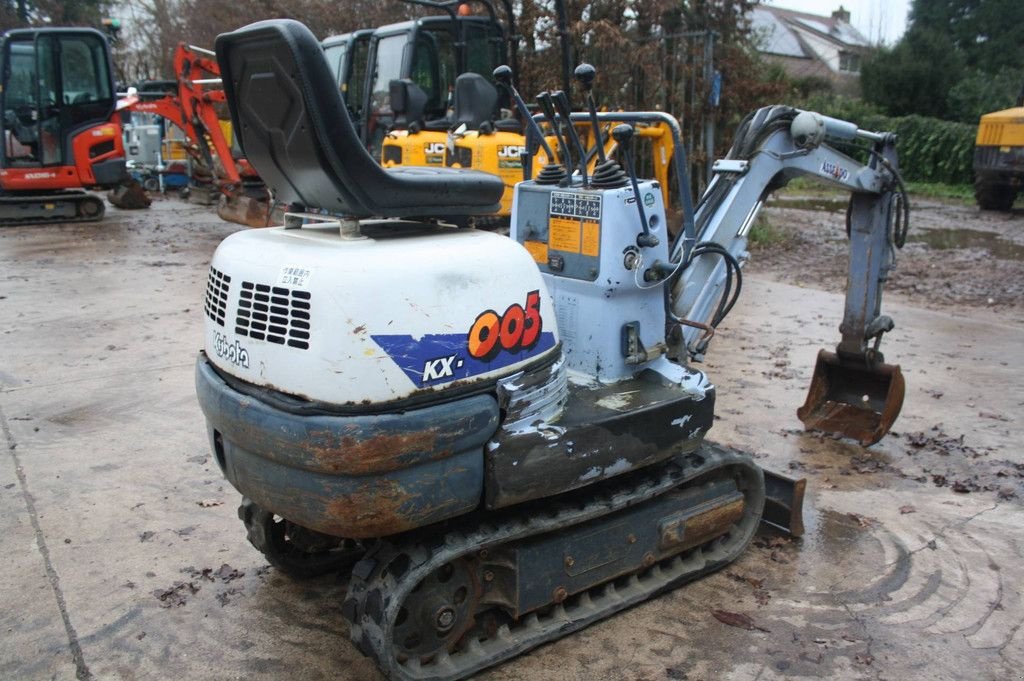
(494, 342)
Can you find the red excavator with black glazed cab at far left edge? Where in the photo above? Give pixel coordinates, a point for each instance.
(61, 132)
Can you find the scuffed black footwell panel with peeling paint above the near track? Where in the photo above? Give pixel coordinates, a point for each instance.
(605, 432)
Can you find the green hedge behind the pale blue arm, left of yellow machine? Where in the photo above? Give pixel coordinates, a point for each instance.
(930, 150)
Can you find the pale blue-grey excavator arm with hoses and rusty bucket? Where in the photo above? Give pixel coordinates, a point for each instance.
(854, 393)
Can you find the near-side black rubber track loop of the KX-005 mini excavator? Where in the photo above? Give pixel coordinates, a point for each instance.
(383, 580)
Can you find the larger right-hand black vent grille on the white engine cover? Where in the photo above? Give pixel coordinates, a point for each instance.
(274, 314)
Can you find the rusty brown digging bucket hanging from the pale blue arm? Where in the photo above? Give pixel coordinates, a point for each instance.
(852, 399)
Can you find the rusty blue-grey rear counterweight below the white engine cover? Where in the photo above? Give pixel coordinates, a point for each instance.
(355, 477)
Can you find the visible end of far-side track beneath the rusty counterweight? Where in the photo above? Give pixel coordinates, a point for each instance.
(295, 550)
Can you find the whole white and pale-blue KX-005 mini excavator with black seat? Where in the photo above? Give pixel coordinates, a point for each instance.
(501, 441)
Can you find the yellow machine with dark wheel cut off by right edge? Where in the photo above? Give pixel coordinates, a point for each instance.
(999, 158)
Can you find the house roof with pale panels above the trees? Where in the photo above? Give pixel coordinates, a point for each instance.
(780, 31)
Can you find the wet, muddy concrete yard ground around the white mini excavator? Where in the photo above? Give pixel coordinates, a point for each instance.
(124, 559)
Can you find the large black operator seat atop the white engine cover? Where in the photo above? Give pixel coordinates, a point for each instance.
(294, 129)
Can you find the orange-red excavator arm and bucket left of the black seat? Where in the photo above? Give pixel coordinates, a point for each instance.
(191, 104)
